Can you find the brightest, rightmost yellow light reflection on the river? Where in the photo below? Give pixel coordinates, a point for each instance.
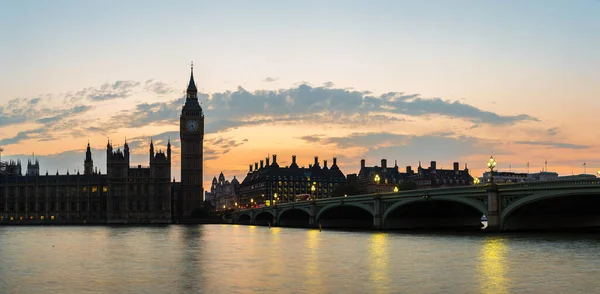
(492, 266)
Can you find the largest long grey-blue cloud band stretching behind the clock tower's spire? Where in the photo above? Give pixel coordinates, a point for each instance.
(306, 104)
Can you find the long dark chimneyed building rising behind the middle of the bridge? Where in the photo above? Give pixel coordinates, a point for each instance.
(386, 179)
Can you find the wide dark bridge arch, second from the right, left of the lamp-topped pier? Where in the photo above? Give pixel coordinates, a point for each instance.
(433, 213)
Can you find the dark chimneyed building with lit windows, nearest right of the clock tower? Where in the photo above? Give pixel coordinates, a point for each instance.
(268, 183)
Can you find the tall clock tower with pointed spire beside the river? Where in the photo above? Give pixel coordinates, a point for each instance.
(191, 132)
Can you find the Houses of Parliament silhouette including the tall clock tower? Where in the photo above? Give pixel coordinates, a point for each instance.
(125, 194)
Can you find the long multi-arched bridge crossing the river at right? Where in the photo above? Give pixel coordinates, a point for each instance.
(515, 206)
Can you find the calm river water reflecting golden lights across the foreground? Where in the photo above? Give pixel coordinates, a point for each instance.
(250, 259)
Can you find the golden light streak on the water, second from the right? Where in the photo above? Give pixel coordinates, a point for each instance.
(379, 258)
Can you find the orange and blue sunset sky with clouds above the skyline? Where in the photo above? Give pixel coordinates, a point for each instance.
(404, 80)
